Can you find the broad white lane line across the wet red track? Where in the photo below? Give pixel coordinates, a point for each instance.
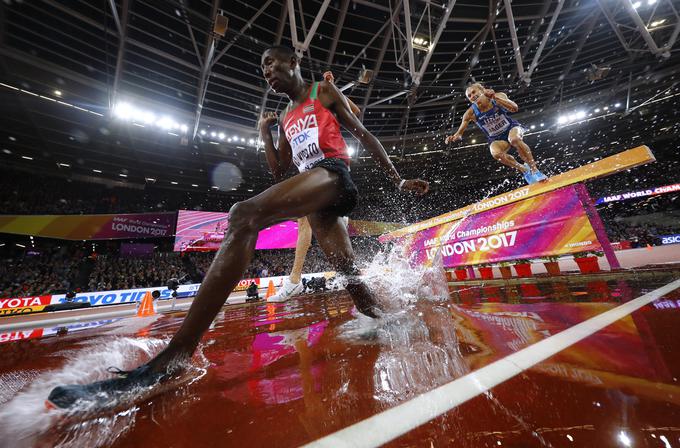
(397, 421)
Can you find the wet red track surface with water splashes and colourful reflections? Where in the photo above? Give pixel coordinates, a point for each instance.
(286, 374)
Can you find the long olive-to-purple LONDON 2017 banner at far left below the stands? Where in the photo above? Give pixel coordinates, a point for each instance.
(91, 227)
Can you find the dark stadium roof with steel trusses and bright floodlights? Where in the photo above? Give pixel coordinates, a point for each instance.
(146, 91)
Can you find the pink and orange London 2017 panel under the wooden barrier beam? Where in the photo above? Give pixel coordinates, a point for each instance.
(550, 224)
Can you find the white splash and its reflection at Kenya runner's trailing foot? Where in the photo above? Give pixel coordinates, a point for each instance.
(419, 348)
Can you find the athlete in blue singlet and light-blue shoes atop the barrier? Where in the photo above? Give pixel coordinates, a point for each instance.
(491, 113)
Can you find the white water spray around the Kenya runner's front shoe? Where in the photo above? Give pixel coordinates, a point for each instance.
(24, 420)
